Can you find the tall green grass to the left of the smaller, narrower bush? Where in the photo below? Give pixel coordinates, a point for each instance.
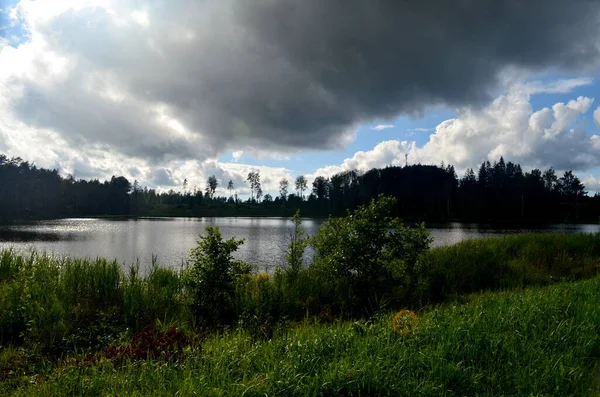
(59, 303)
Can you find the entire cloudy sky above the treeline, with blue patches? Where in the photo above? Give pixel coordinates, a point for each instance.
(164, 90)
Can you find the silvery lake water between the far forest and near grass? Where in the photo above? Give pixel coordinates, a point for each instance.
(171, 239)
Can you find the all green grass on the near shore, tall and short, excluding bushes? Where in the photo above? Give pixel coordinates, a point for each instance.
(86, 327)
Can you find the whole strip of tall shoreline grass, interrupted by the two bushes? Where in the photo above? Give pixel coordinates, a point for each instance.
(59, 304)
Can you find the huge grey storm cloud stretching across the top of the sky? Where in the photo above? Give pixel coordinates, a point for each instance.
(288, 74)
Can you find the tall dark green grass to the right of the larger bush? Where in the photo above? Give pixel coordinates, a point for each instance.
(511, 261)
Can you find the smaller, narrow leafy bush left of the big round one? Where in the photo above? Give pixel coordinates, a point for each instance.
(212, 278)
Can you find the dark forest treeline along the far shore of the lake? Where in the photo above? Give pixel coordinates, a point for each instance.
(495, 192)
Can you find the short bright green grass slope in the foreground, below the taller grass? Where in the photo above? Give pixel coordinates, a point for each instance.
(539, 341)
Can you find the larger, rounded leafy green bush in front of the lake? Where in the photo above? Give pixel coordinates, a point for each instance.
(370, 256)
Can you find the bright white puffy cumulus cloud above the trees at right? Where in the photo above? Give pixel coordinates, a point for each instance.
(508, 127)
